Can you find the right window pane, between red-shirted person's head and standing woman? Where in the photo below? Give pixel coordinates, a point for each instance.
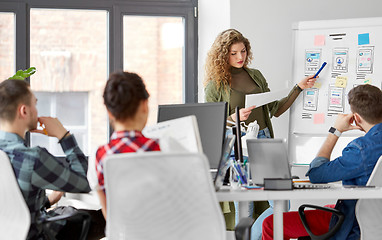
(153, 47)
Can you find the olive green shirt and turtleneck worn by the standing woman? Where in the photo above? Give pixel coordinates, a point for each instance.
(240, 87)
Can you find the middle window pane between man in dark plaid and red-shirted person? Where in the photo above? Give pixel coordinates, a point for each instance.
(69, 50)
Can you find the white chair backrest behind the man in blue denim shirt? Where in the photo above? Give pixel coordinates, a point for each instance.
(369, 211)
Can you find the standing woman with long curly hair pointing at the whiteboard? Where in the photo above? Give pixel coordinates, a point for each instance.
(229, 79)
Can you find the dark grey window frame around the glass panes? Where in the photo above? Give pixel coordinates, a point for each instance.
(116, 9)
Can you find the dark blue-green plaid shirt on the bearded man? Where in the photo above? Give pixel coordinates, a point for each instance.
(36, 170)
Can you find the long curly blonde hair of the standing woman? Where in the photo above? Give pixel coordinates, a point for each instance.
(217, 66)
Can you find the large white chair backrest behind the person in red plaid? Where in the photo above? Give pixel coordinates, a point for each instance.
(156, 195)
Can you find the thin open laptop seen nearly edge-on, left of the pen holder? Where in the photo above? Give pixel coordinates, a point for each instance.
(223, 164)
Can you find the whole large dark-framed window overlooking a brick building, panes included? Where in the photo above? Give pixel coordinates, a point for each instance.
(75, 45)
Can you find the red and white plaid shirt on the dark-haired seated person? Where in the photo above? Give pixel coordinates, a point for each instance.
(123, 142)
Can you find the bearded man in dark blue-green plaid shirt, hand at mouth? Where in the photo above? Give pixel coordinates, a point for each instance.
(35, 168)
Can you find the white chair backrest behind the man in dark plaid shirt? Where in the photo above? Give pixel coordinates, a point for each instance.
(14, 213)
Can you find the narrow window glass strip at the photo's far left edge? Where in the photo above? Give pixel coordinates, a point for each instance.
(7, 45)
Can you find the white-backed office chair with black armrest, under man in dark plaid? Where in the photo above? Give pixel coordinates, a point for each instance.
(14, 213)
